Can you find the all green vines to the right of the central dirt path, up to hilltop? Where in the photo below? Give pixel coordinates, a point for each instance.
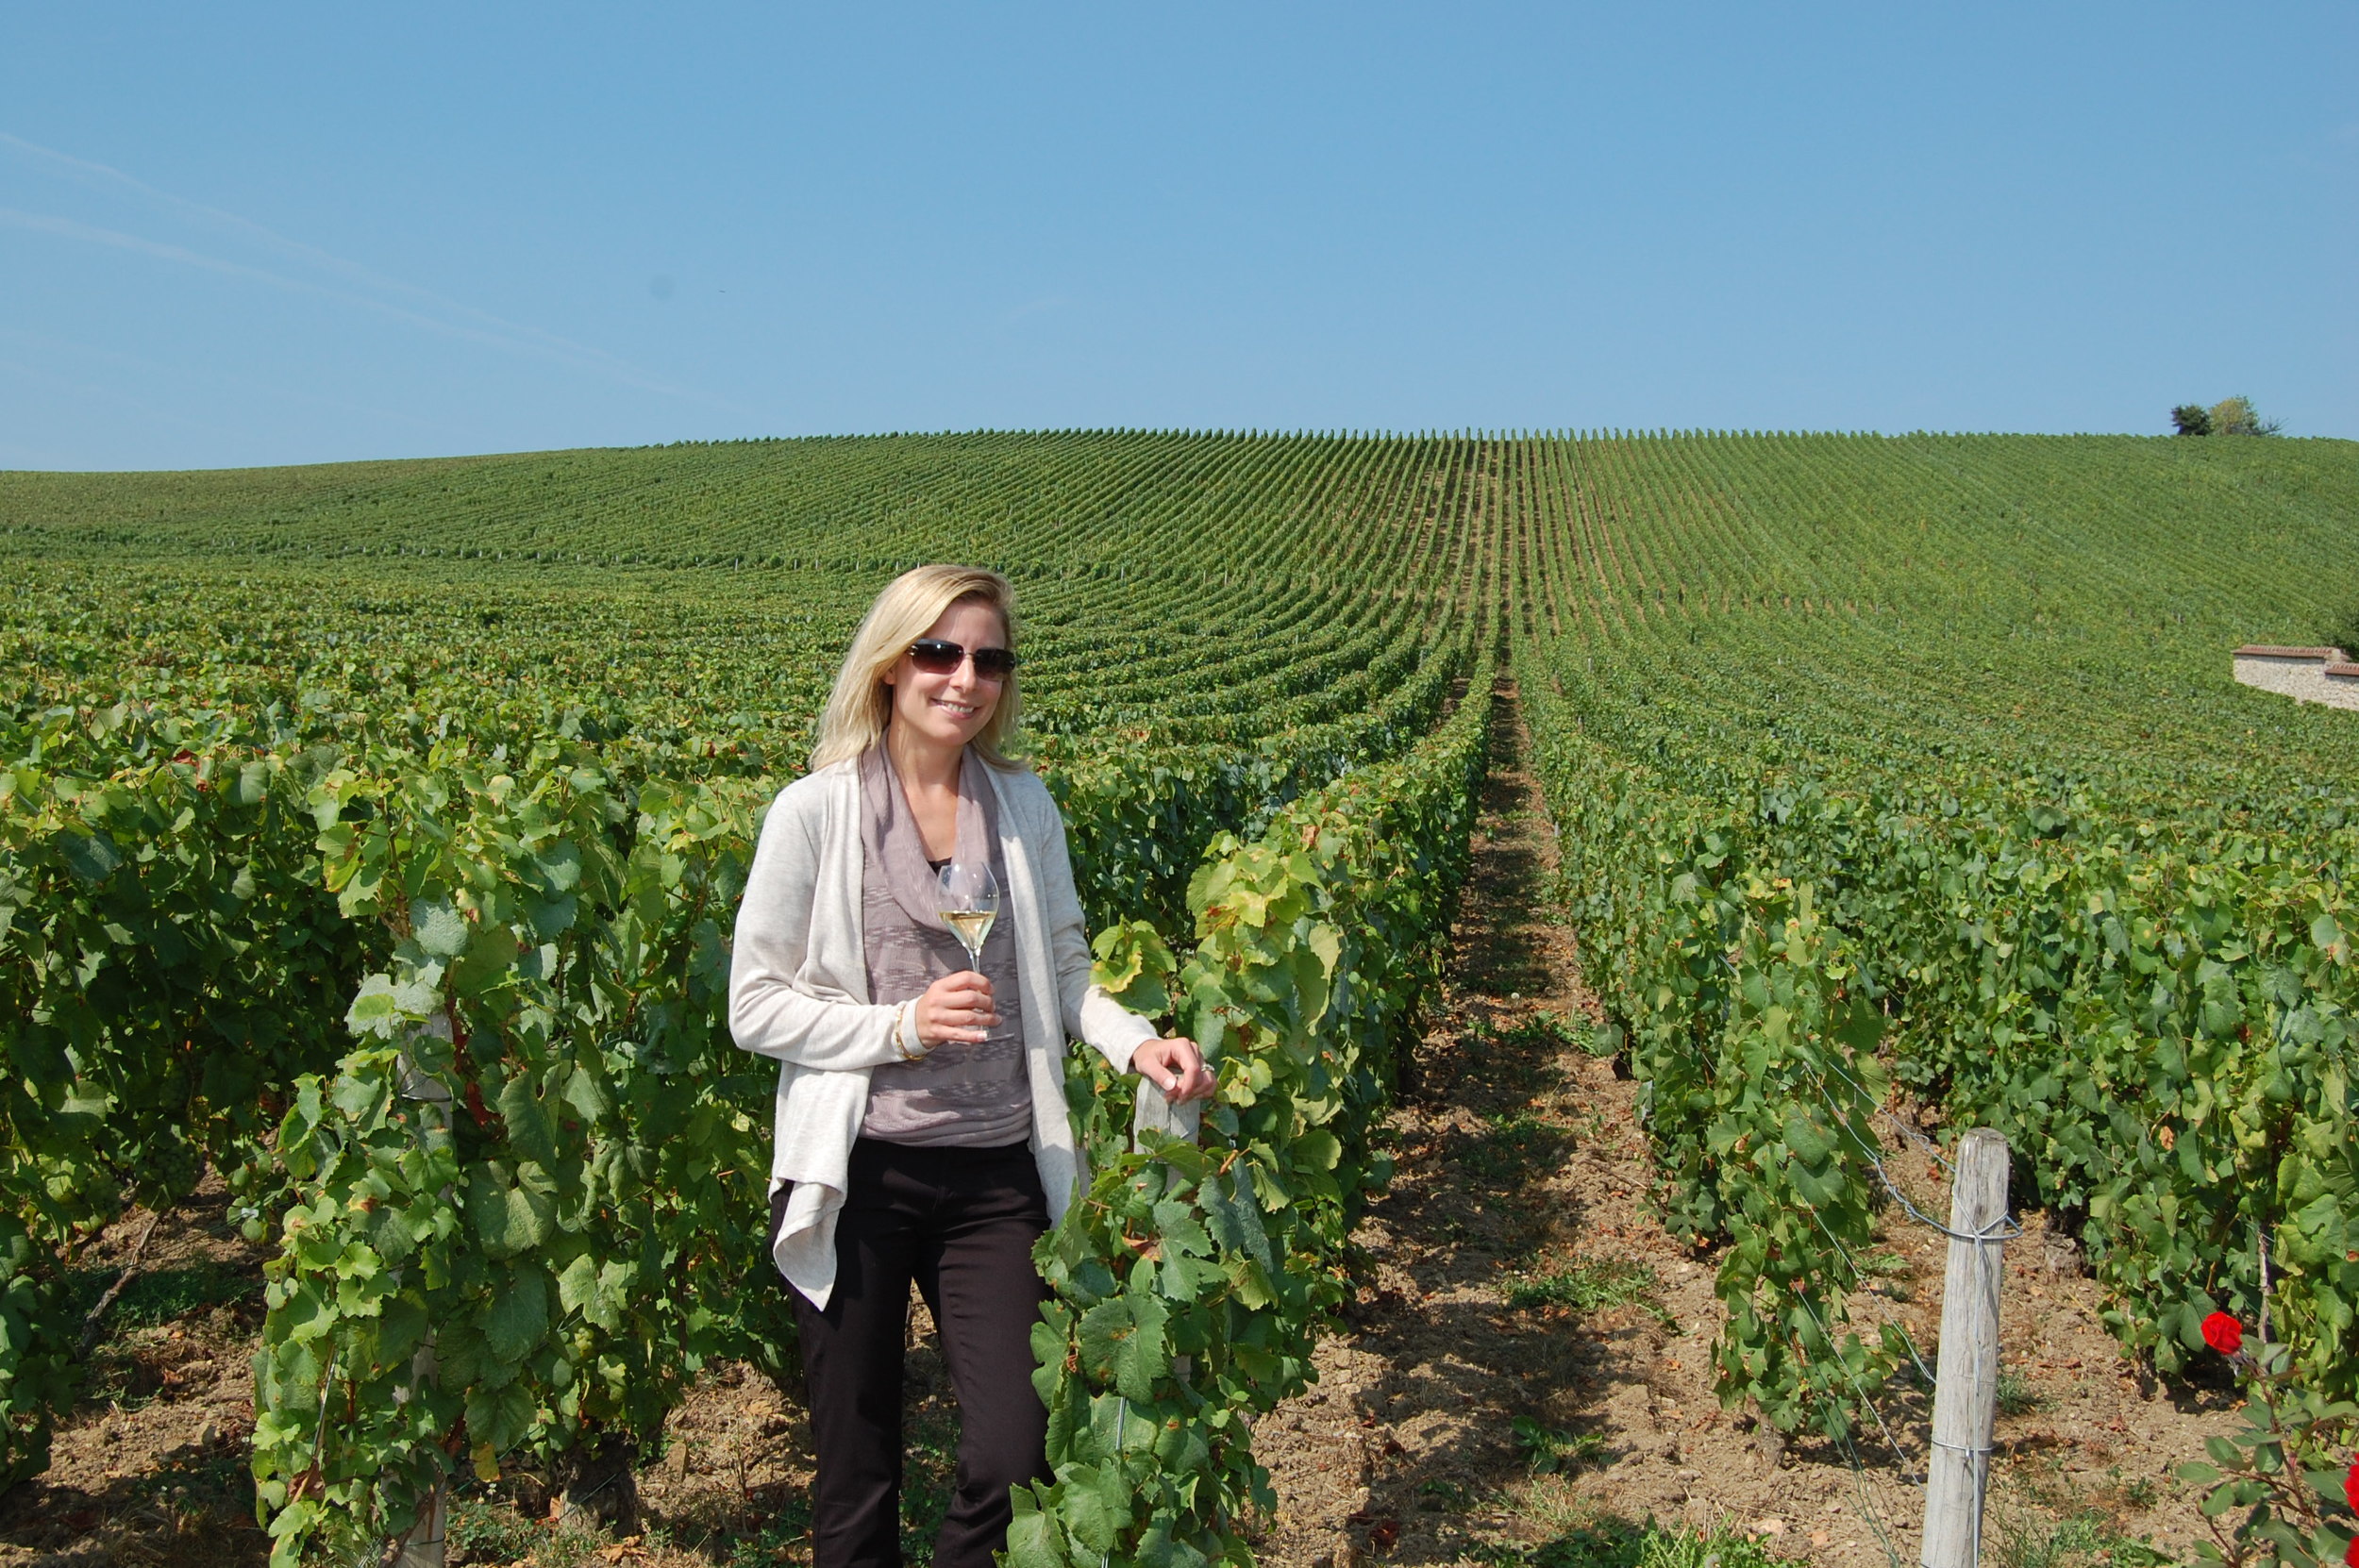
(2051, 867)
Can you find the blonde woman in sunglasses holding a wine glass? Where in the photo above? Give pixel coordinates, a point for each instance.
(921, 1126)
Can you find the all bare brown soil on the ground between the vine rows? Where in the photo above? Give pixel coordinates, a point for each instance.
(1447, 1425)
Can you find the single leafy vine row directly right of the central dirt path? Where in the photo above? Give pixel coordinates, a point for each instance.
(1756, 1034)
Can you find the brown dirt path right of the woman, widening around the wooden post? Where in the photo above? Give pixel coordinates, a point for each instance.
(1476, 1411)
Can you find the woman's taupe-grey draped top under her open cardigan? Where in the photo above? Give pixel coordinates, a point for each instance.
(959, 1093)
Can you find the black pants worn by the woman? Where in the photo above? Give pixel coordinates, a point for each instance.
(961, 1225)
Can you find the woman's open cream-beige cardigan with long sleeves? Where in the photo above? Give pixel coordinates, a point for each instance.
(799, 991)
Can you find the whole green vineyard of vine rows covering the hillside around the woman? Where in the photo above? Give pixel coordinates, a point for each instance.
(374, 836)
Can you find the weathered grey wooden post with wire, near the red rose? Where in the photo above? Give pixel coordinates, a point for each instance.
(1966, 1383)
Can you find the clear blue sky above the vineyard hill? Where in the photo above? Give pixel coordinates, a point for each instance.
(254, 235)
